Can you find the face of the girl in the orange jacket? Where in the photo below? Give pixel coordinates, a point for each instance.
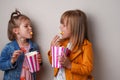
(65, 29)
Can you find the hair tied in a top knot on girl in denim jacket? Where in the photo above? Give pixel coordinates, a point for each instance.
(14, 22)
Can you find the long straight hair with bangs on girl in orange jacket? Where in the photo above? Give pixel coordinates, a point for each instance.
(76, 20)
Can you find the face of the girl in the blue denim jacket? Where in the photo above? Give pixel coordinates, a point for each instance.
(25, 29)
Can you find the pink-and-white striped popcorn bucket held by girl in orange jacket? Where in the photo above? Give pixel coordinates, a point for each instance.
(56, 51)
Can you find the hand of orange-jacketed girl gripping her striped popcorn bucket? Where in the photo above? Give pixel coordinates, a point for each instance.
(64, 61)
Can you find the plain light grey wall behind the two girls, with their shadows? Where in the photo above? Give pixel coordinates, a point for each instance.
(103, 22)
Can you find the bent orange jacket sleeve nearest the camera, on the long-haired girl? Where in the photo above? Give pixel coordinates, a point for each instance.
(86, 65)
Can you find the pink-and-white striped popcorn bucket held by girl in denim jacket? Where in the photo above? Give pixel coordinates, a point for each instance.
(32, 61)
